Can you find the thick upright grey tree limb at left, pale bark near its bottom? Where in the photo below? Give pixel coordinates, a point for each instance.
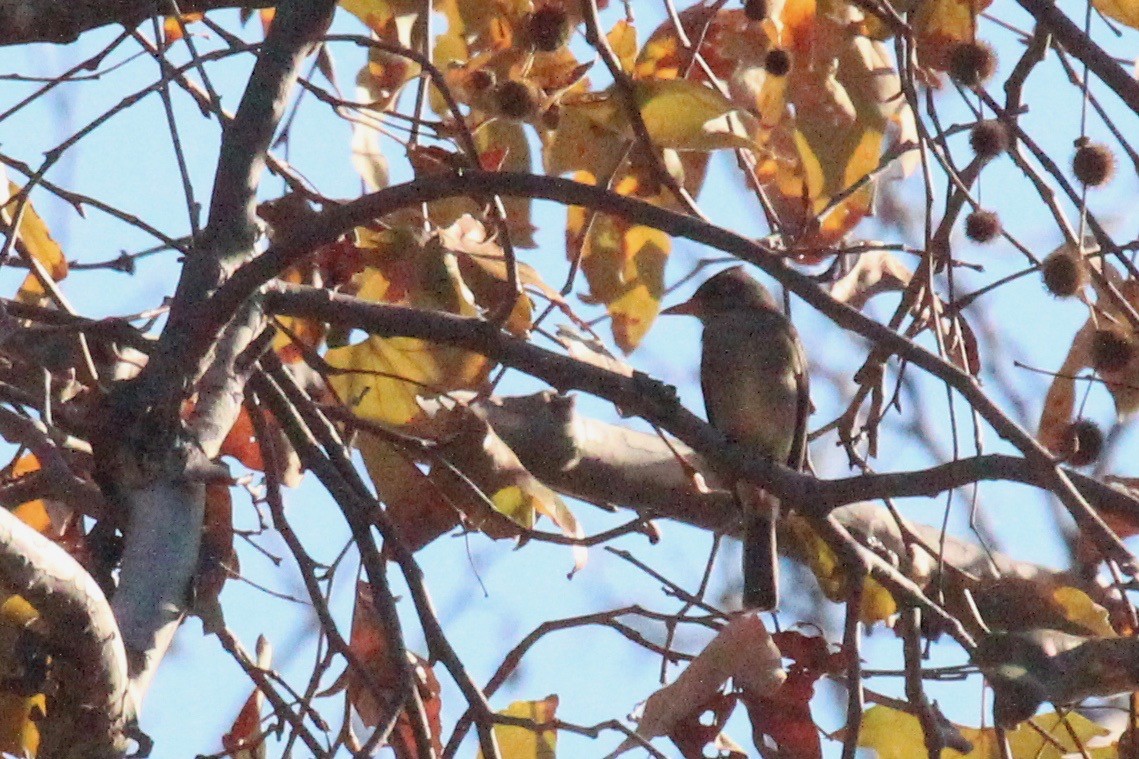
(146, 463)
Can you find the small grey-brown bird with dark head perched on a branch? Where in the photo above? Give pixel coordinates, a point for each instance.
(757, 393)
